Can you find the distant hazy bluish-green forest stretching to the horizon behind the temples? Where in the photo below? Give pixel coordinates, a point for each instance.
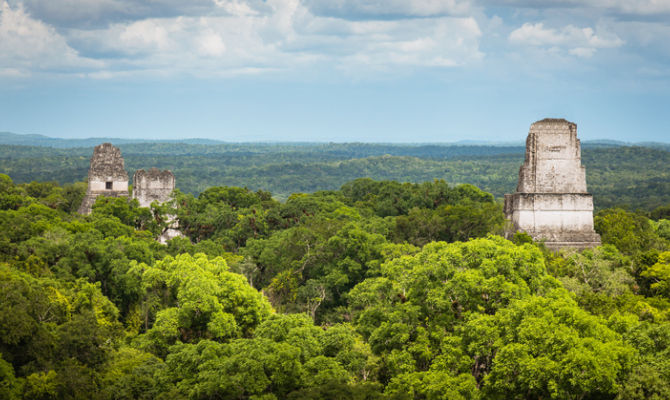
(635, 177)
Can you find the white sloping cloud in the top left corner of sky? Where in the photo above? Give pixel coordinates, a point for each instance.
(29, 45)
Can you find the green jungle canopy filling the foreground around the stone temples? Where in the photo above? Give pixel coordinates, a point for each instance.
(375, 290)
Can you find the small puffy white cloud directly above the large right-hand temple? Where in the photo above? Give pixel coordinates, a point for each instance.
(582, 42)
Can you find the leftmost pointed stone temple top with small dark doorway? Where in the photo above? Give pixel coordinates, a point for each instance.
(106, 176)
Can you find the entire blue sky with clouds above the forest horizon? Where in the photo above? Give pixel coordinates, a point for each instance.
(334, 70)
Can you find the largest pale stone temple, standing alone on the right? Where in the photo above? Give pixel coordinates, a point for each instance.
(551, 203)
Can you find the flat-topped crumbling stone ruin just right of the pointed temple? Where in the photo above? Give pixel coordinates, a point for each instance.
(156, 185)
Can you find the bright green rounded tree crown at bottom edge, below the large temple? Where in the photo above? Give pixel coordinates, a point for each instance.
(549, 348)
